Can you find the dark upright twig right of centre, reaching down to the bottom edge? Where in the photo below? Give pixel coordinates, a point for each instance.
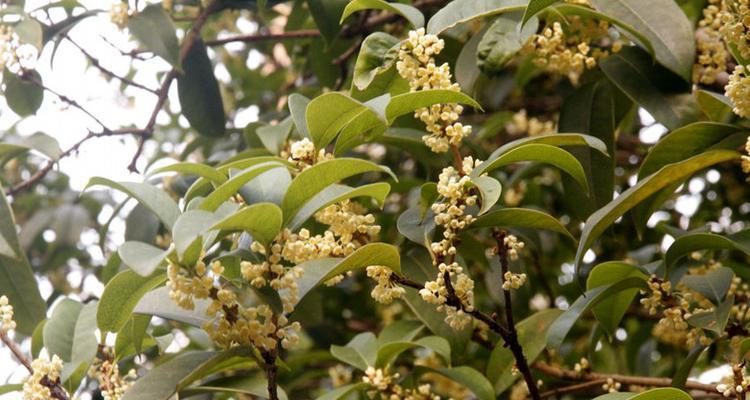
(512, 339)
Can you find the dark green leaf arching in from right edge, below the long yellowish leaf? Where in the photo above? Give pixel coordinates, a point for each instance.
(686, 244)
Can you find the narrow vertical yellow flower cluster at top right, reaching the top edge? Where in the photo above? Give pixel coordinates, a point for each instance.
(711, 63)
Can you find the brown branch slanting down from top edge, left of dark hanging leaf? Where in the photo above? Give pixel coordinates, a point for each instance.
(163, 91)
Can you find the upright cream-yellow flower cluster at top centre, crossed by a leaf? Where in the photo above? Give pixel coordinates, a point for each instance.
(416, 63)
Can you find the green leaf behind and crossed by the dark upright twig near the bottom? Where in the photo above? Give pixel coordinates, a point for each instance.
(532, 336)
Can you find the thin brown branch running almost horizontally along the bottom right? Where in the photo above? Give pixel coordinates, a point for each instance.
(625, 379)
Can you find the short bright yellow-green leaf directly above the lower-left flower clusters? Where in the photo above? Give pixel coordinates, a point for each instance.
(261, 220)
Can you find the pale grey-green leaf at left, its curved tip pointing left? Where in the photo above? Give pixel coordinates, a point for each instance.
(150, 196)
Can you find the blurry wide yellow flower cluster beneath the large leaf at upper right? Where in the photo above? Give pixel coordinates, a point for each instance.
(571, 51)
